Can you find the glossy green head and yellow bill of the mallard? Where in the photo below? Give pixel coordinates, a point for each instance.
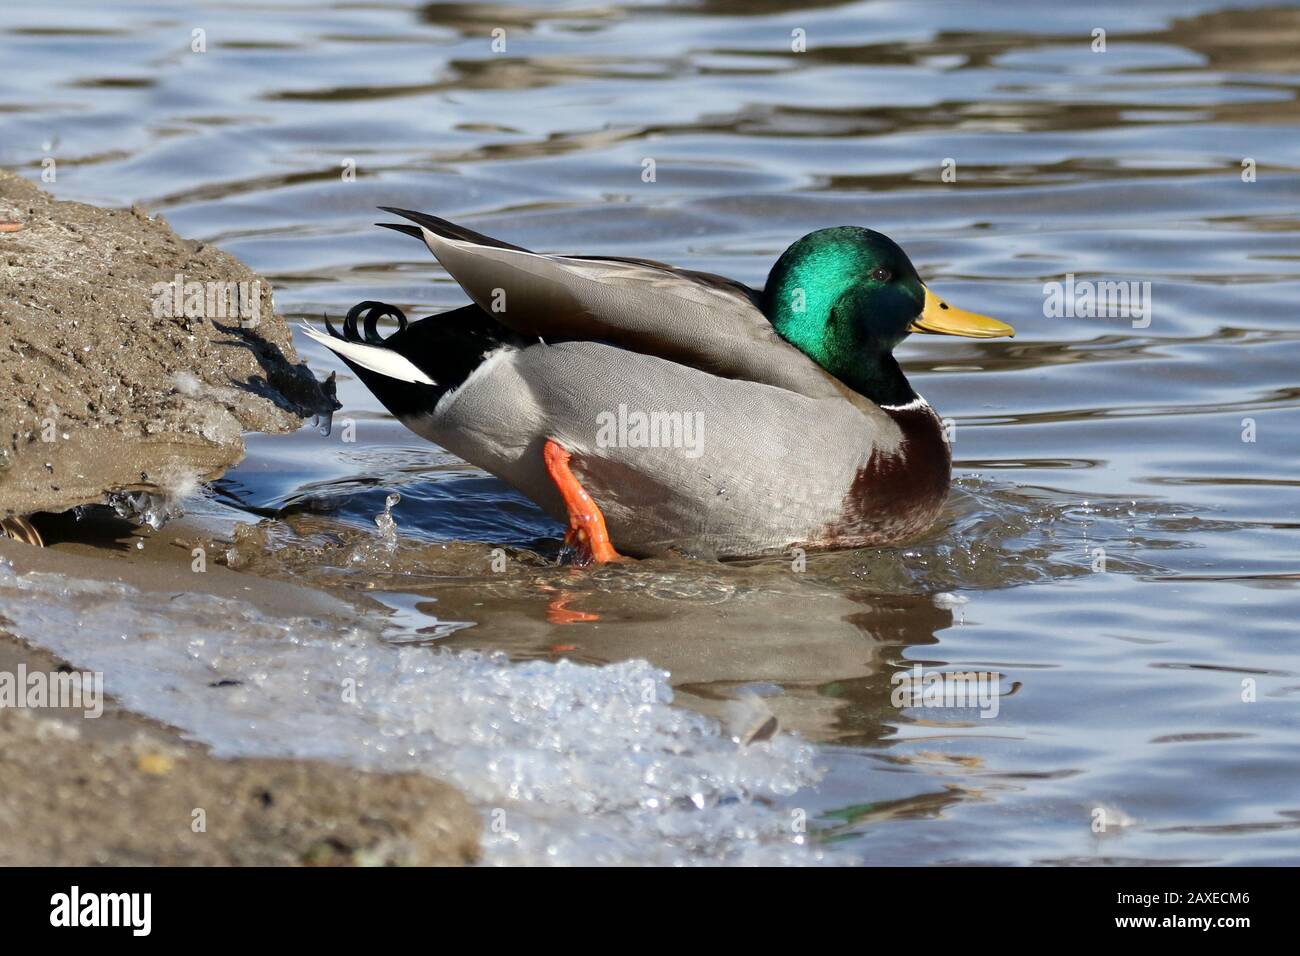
(847, 297)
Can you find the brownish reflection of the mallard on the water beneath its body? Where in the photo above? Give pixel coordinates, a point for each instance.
(818, 660)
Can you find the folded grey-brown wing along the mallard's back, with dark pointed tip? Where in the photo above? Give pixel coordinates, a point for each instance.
(695, 319)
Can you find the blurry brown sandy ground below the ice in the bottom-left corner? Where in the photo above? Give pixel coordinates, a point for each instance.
(72, 801)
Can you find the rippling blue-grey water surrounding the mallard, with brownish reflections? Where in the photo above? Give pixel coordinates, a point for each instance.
(1121, 544)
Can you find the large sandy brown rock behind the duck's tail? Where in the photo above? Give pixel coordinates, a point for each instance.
(114, 382)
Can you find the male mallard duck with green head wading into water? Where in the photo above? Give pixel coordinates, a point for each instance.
(653, 409)
